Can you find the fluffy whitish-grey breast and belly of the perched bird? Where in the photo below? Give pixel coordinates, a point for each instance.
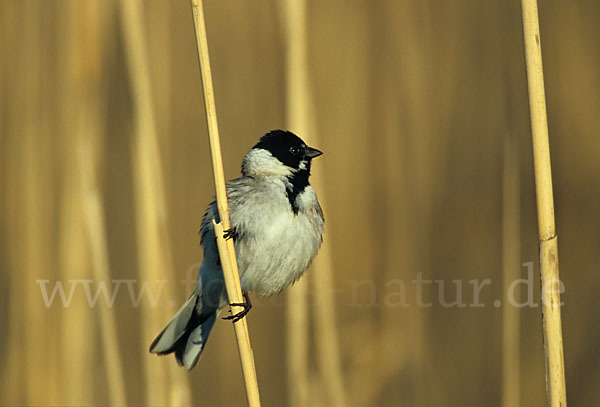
(279, 245)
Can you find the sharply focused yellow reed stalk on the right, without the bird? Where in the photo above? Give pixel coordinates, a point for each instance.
(553, 347)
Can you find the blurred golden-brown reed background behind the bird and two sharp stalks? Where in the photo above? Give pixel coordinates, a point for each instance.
(421, 110)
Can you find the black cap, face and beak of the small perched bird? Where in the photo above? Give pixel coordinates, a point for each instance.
(287, 148)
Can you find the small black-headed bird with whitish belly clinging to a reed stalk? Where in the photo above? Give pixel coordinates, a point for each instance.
(277, 230)
